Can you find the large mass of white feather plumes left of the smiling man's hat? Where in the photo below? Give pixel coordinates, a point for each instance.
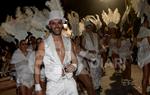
(25, 22)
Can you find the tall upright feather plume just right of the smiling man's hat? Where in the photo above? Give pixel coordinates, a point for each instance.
(73, 18)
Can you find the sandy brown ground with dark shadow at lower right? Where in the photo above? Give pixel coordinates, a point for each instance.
(111, 85)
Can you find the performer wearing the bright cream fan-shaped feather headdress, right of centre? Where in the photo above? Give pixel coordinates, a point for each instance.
(111, 19)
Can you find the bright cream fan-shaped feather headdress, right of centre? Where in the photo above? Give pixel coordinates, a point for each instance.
(111, 16)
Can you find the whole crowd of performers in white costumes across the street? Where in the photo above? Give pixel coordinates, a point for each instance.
(57, 64)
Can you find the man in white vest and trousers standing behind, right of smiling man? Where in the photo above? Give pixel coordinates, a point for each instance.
(90, 44)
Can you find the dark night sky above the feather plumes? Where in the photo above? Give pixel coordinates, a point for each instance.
(82, 7)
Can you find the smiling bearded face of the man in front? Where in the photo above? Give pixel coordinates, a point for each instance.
(56, 25)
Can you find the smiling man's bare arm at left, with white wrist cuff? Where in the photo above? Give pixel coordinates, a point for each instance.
(38, 61)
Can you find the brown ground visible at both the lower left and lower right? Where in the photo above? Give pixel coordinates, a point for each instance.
(110, 85)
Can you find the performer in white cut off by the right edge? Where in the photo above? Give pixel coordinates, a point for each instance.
(143, 39)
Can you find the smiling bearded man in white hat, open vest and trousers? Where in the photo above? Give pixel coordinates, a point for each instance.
(59, 60)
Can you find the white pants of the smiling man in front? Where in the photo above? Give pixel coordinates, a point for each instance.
(65, 86)
